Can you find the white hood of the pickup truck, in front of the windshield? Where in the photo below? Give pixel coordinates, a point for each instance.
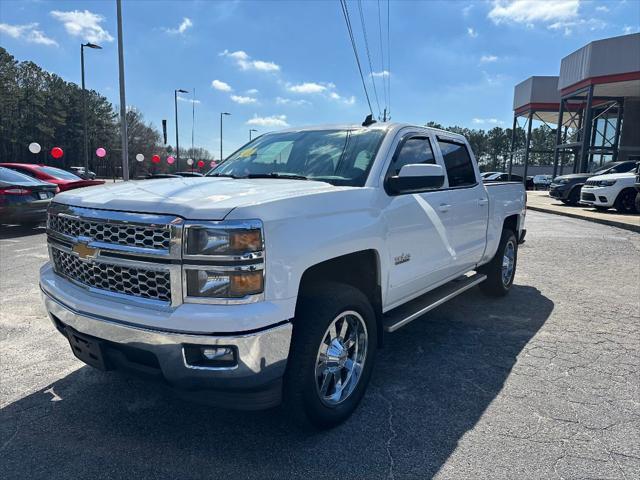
(204, 198)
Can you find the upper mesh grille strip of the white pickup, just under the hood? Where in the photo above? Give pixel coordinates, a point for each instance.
(140, 236)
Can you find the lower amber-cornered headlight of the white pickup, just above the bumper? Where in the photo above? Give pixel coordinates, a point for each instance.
(212, 284)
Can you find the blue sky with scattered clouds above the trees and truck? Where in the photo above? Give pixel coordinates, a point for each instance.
(278, 63)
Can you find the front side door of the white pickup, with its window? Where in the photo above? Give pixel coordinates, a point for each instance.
(418, 241)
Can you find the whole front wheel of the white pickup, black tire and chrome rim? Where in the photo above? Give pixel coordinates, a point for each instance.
(332, 356)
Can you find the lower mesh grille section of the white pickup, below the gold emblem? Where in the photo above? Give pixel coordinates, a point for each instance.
(145, 282)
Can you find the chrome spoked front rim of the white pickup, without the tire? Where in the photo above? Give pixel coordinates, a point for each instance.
(341, 358)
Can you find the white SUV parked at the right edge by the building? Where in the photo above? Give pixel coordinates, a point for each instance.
(612, 190)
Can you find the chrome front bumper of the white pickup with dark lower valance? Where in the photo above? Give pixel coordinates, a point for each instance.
(254, 382)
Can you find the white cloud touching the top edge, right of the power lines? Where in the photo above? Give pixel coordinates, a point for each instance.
(531, 11)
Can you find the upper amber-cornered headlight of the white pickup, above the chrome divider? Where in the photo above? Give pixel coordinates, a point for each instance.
(223, 239)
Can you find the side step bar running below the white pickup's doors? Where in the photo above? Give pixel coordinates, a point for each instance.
(404, 314)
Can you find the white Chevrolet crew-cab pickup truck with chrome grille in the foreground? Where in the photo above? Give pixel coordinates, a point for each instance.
(274, 278)
